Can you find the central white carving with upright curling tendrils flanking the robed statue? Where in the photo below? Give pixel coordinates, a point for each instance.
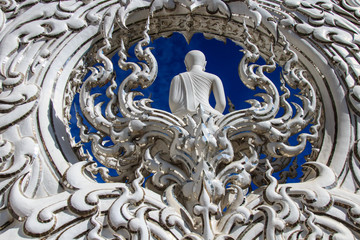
(192, 157)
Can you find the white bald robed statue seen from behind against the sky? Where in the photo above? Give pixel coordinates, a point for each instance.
(190, 89)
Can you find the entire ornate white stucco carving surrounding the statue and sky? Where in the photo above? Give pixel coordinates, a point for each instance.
(201, 164)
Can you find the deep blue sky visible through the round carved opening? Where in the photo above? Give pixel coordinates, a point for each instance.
(222, 60)
